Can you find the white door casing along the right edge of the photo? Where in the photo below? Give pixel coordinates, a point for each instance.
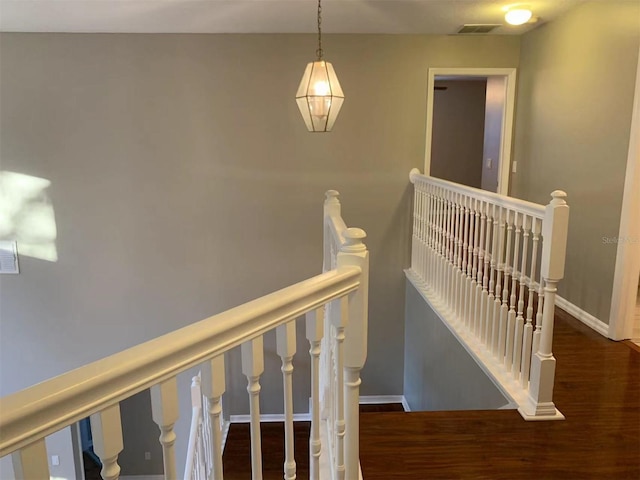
(625, 280)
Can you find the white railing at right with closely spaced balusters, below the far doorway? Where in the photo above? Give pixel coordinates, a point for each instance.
(476, 257)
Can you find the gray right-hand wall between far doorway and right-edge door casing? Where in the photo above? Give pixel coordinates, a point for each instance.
(576, 85)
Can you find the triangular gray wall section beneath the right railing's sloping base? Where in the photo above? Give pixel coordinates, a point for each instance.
(439, 373)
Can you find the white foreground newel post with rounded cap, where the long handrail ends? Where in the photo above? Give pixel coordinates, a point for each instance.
(354, 253)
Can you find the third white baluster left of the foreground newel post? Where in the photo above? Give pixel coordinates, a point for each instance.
(286, 347)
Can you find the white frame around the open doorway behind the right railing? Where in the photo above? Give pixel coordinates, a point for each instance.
(507, 124)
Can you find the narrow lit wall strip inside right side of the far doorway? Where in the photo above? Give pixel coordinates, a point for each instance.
(494, 113)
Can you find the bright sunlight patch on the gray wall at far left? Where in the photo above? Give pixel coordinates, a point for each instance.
(27, 215)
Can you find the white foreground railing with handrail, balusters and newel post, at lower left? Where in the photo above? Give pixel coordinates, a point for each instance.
(96, 389)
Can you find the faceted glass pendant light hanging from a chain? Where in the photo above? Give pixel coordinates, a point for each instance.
(319, 96)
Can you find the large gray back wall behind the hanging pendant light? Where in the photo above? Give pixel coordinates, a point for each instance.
(184, 183)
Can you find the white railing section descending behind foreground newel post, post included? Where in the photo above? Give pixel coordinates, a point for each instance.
(344, 348)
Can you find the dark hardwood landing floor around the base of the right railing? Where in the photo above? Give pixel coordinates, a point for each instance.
(598, 390)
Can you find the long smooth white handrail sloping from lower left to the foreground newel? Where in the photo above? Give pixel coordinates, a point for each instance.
(38, 411)
